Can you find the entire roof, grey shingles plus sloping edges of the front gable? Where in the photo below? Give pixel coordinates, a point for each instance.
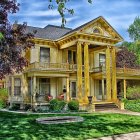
(53, 32)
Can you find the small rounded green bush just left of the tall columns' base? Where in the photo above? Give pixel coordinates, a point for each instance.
(73, 105)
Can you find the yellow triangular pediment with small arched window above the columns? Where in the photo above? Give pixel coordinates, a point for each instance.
(100, 26)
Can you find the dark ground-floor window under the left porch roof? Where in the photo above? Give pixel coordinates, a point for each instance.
(44, 86)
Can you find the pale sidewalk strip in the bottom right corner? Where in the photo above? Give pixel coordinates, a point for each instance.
(130, 136)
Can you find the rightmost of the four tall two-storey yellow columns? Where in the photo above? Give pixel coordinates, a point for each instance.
(114, 82)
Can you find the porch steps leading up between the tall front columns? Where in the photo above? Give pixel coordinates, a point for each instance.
(105, 106)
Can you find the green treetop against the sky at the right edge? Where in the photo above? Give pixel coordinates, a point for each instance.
(134, 29)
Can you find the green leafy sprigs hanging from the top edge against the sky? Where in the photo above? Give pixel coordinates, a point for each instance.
(61, 6)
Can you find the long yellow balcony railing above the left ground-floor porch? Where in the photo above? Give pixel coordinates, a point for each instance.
(43, 66)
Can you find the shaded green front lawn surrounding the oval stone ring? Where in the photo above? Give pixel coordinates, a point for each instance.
(24, 127)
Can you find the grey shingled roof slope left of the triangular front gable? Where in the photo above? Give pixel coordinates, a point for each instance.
(49, 32)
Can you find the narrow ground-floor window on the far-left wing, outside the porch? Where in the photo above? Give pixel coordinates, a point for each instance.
(17, 86)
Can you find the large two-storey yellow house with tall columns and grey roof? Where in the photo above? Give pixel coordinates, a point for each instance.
(79, 62)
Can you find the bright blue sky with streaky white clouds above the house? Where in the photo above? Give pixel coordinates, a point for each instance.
(119, 13)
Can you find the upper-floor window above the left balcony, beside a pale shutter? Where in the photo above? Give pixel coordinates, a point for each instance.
(44, 54)
